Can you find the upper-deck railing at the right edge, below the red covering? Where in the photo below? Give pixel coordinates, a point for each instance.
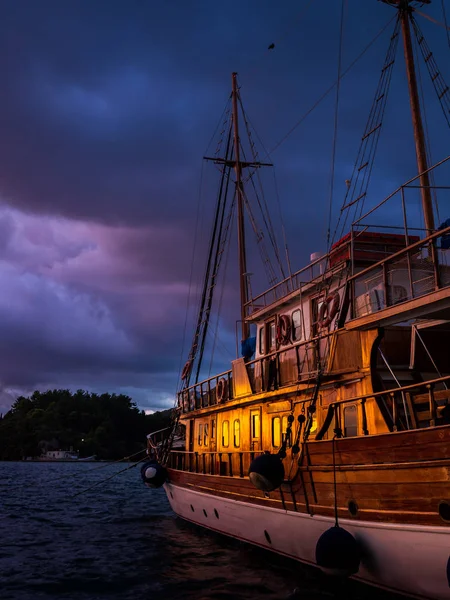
(412, 272)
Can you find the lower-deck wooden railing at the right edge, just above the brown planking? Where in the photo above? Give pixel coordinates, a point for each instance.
(415, 406)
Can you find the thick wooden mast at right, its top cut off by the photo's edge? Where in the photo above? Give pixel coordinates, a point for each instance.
(419, 136)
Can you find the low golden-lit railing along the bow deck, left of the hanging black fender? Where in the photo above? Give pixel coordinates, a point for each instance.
(234, 463)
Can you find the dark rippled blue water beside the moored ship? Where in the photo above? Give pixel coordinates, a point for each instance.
(121, 541)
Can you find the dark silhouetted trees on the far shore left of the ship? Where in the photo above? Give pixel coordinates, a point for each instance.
(109, 426)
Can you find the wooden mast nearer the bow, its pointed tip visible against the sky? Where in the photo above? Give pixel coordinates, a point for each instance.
(240, 212)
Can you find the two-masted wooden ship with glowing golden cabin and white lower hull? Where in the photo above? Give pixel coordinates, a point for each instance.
(328, 439)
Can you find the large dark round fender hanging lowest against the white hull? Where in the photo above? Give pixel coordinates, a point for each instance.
(338, 553)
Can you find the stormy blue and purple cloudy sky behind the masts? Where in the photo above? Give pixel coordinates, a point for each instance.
(106, 109)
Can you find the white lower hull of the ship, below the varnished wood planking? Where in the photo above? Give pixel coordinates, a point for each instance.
(408, 559)
